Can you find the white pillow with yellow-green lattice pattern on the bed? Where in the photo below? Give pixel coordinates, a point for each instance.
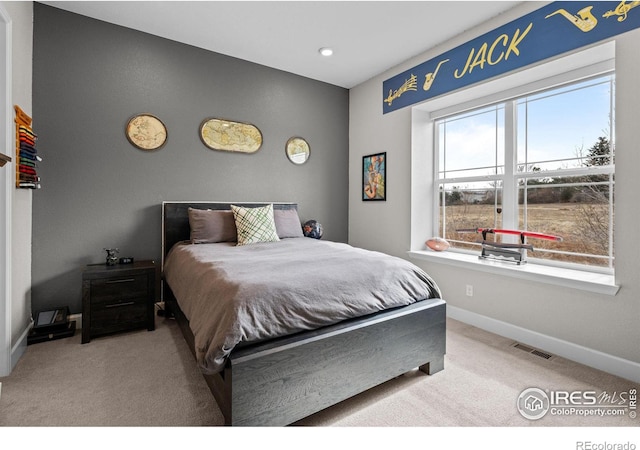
(255, 224)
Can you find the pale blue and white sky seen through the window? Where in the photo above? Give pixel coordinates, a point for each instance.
(553, 127)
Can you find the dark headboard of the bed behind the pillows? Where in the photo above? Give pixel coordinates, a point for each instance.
(175, 218)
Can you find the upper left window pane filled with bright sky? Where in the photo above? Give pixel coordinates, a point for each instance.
(472, 144)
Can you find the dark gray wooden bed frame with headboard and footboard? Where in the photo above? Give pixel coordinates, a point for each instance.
(281, 381)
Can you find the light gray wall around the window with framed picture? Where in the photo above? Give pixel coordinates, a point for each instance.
(599, 323)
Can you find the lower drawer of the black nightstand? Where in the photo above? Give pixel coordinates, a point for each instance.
(124, 316)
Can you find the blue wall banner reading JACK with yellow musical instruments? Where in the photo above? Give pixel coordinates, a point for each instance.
(554, 29)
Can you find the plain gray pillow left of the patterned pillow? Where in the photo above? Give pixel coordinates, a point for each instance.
(210, 226)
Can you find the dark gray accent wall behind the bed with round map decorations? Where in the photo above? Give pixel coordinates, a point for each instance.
(91, 77)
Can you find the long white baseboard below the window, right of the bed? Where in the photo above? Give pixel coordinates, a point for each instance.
(593, 358)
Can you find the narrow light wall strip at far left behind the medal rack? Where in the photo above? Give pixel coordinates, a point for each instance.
(21, 14)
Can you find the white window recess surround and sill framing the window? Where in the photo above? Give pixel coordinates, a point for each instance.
(574, 65)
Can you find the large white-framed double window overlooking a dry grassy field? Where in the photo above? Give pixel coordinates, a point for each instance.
(541, 162)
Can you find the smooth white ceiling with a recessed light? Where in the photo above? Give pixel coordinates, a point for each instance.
(368, 37)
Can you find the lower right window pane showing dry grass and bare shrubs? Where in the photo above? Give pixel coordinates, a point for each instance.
(575, 208)
